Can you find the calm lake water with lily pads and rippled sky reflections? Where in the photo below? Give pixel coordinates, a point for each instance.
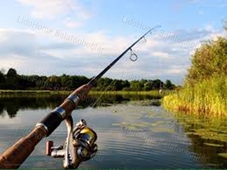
(132, 133)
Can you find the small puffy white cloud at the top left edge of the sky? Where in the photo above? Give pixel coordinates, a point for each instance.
(42, 9)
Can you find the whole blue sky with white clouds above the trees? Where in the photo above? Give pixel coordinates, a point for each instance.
(75, 37)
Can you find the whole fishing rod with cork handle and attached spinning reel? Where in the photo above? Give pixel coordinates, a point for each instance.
(80, 141)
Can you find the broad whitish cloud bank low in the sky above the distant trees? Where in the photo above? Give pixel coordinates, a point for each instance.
(159, 57)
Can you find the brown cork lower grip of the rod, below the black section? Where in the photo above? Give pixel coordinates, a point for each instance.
(14, 156)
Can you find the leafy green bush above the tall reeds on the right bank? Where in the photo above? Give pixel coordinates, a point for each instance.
(209, 60)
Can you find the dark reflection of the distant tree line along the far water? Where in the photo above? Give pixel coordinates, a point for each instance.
(12, 104)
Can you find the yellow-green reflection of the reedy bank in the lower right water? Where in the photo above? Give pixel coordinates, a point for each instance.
(208, 137)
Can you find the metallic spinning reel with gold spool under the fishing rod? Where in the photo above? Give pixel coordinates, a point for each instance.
(79, 145)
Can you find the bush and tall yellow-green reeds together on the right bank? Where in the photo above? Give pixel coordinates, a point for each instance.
(205, 88)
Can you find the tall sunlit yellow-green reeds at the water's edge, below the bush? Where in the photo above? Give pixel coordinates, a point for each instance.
(206, 98)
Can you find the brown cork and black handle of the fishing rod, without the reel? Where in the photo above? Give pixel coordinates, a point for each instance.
(18, 153)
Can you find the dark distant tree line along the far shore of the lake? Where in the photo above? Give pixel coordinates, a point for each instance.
(11, 80)
